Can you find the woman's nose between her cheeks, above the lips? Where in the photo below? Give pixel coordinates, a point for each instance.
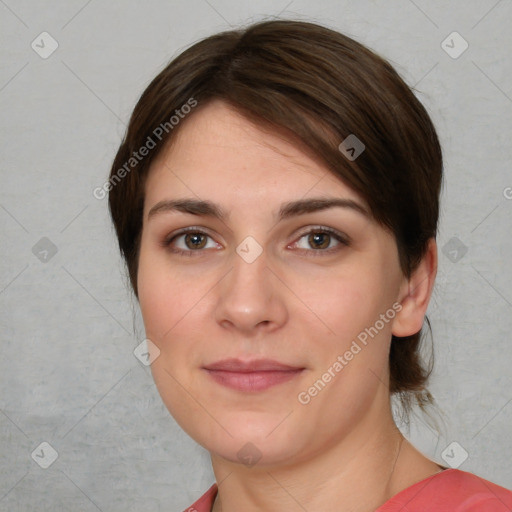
(250, 299)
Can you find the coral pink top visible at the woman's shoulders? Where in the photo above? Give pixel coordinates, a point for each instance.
(450, 490)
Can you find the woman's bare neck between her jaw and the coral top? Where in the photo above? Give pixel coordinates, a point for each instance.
(359, 473)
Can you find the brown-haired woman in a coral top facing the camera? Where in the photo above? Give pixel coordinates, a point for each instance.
(276, 200)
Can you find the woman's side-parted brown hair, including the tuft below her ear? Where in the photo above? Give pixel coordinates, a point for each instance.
(321, 86)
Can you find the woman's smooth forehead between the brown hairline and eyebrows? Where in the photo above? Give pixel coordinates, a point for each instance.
(220, 155)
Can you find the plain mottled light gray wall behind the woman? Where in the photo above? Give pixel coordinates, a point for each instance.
(68, 324)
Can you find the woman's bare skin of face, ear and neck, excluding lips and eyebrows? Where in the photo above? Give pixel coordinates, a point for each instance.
(295, 303)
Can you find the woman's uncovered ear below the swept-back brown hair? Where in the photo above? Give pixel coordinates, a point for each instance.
(414, 294)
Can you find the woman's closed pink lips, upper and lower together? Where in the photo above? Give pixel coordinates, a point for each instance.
(256, 375)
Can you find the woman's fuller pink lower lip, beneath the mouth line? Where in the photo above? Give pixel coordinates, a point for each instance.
(252, 381)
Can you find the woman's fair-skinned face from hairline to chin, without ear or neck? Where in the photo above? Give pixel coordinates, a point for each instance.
(273, 311)
